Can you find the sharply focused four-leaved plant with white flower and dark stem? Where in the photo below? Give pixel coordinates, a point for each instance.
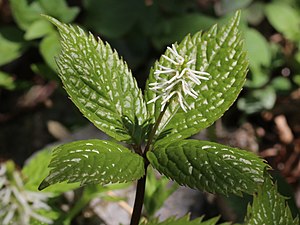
(188, 89)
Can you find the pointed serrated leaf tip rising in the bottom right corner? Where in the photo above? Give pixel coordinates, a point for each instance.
(269, 207)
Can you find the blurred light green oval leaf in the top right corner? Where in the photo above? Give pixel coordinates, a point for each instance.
(285, 19)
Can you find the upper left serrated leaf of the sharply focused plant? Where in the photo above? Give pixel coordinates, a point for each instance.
(98, 81)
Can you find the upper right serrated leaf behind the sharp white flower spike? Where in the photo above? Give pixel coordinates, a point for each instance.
(218, 52)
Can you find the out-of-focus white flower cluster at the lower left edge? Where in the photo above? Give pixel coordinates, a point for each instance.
(18, 205)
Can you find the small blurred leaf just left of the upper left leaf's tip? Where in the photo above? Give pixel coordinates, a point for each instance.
(38, 29)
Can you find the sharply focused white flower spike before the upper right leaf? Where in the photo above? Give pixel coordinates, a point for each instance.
(177, 80)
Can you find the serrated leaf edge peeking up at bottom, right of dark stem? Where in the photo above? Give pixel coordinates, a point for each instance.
(185, 220)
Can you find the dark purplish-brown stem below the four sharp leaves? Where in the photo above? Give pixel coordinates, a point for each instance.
(139, 198)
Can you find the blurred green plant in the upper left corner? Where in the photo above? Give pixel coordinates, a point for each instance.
(33, 31)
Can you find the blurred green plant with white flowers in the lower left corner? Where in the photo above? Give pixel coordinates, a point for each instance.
(22, 203)
